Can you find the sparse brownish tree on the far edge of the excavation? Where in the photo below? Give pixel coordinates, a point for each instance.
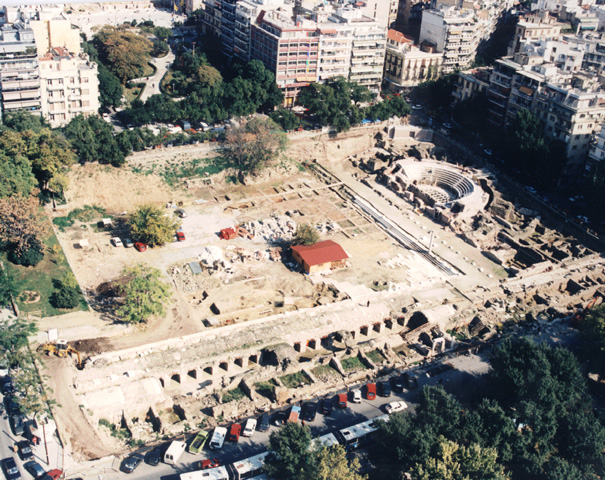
(250, 147)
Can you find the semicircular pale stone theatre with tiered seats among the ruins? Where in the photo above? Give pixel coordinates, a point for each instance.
(438, 184)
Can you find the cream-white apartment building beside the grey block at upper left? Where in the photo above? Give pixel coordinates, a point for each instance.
(69, 86)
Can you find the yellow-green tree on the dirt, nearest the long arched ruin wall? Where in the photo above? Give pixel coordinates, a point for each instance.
(145, 295)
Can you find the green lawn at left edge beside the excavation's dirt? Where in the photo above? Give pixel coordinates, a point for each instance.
(42, 279)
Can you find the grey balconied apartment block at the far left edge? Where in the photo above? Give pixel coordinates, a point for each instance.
(19, 76)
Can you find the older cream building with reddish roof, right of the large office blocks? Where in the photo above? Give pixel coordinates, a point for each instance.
(406, 64)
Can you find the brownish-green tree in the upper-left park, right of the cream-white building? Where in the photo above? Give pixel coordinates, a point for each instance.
(124, 53)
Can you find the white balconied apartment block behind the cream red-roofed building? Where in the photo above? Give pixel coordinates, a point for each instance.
(454, 32)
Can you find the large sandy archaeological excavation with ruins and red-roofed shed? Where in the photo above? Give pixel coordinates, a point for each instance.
(422, 253)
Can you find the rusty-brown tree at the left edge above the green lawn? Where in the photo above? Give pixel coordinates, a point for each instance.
(22, 224)
